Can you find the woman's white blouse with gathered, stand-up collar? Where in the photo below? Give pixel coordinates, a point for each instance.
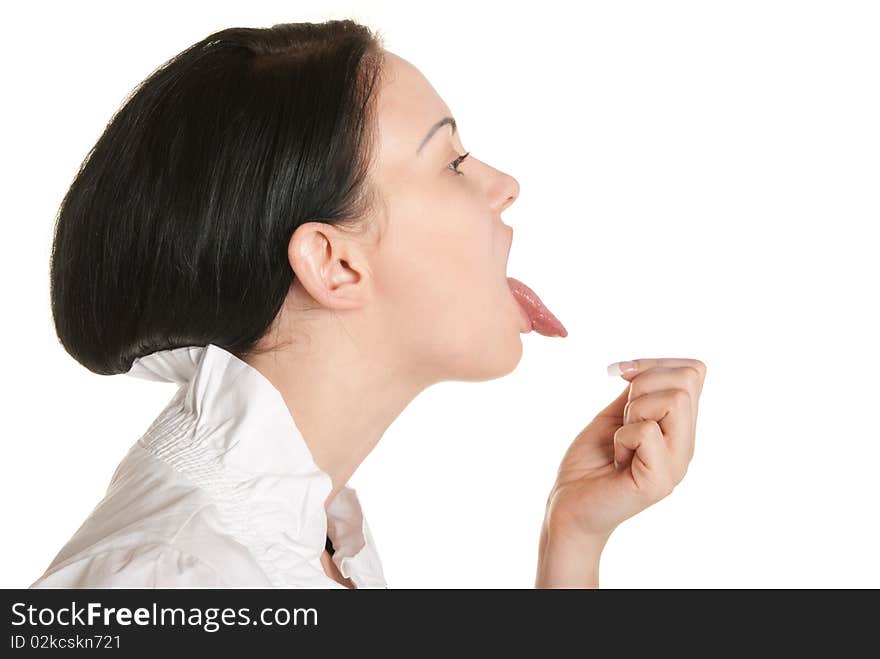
(221, 490)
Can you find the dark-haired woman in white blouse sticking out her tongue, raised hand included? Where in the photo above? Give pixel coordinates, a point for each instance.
(285, 223)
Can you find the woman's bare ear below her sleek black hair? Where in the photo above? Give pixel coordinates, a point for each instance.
(325, 263)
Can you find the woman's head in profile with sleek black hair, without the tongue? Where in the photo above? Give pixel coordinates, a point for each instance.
(281, 188)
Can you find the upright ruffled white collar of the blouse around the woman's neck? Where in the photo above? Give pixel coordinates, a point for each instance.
(229, 429)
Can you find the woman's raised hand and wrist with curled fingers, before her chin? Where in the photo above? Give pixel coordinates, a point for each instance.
(631, 455)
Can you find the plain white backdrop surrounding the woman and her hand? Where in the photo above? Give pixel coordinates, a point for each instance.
(698, 179)
